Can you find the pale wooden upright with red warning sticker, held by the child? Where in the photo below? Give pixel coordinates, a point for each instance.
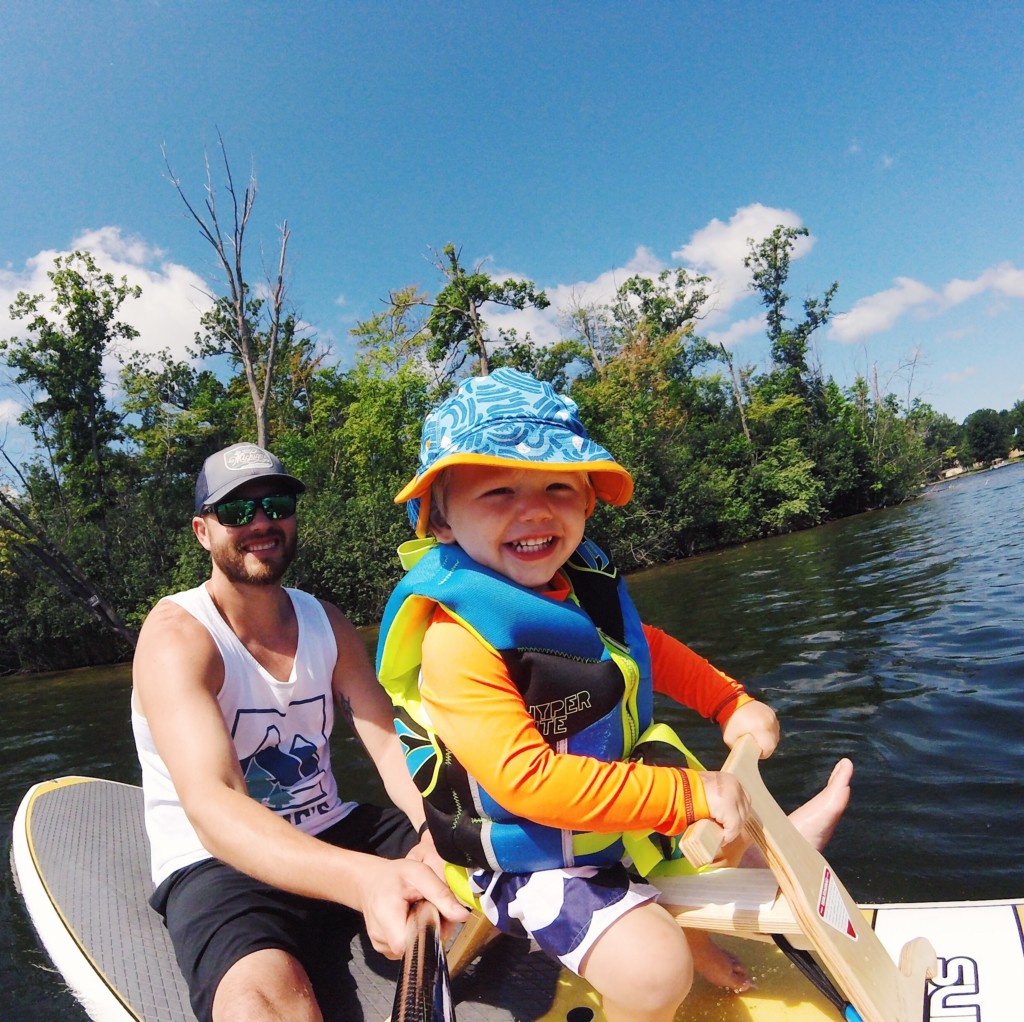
(848, 948)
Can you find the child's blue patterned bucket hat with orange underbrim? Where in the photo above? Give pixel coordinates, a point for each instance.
(509, 418)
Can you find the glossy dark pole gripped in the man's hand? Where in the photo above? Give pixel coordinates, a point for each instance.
(423, 994)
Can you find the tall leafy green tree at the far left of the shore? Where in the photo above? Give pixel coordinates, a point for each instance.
(60, 518)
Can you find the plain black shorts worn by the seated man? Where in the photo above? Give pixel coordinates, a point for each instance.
(217, 916)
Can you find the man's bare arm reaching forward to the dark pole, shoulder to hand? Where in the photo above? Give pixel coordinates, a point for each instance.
(178, 673)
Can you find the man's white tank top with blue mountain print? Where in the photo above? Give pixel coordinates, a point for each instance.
(281, 731)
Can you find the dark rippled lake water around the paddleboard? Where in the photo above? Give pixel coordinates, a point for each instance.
(895, 638)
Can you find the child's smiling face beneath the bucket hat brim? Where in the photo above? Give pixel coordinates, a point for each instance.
(524, 524)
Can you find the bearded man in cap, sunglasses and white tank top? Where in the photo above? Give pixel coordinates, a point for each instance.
(236, 685)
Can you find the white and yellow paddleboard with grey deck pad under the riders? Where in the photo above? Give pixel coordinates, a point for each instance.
(81, 863)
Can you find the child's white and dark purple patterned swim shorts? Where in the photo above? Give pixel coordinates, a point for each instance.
(565, 911)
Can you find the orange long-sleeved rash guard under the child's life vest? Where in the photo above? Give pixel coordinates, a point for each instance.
(482, 717)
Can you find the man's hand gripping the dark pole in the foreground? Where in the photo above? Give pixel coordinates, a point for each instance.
(391, 888)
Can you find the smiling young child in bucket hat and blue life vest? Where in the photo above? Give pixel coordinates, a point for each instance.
(524, 678)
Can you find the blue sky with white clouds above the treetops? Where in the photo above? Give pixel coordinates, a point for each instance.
(571, 144)
